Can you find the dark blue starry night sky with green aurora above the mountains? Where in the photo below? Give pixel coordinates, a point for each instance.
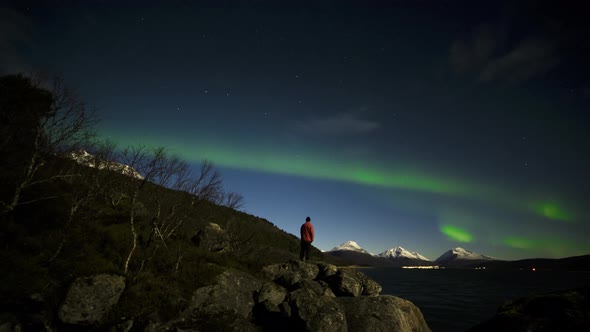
(422, 124)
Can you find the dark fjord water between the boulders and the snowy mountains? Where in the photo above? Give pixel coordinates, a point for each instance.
(455, 300)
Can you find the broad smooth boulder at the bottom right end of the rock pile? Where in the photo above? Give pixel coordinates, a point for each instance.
(383, 313)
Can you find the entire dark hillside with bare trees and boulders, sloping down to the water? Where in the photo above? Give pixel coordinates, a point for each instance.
(133, 238)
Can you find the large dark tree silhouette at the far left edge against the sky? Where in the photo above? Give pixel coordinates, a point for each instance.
(37, 122)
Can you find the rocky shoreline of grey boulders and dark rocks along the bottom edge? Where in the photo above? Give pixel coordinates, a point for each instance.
(292, 296)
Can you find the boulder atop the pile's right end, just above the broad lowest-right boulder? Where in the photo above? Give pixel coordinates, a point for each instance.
(350, 282)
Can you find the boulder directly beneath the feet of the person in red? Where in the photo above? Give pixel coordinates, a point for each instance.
(290, 273)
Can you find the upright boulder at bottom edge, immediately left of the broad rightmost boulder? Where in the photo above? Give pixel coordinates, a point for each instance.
(316, 313)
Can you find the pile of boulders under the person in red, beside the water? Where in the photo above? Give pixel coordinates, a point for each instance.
(322, 297)
